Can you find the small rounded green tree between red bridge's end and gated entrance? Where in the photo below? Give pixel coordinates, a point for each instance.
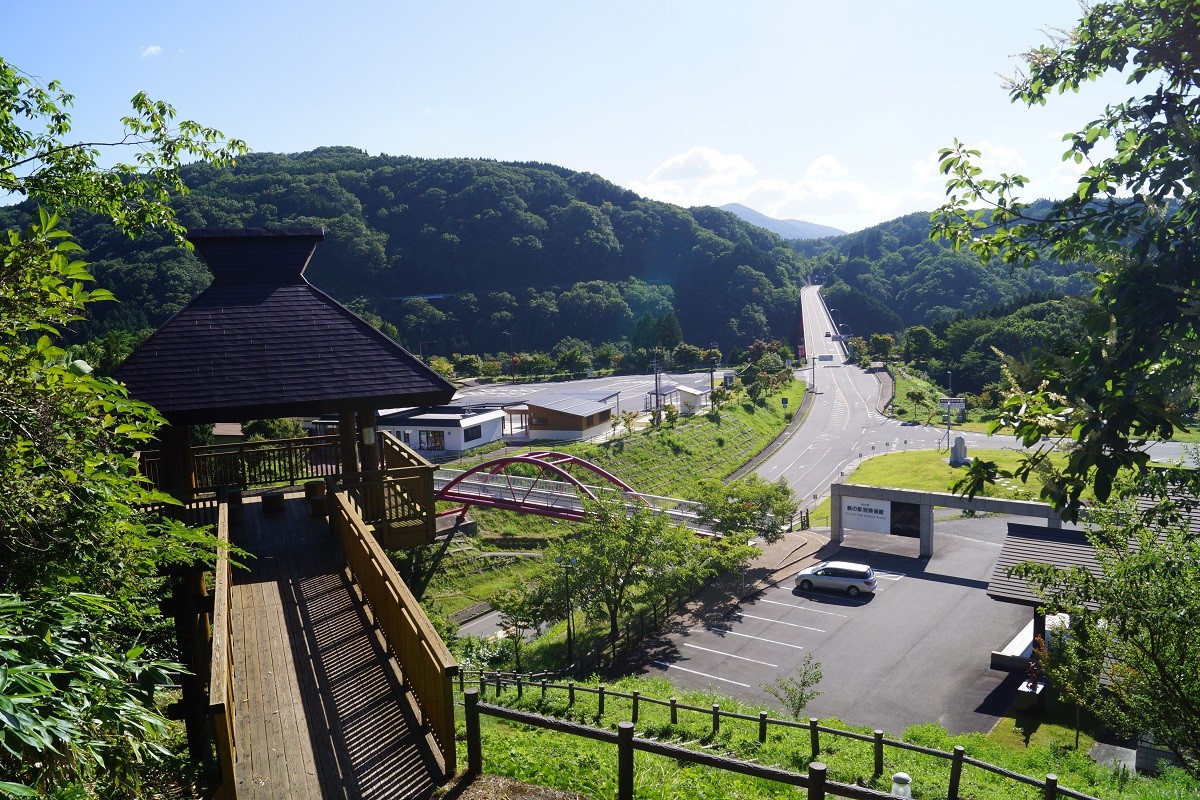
(747, 509)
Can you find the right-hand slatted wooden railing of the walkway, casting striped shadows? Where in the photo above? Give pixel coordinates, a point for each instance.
(425, 661)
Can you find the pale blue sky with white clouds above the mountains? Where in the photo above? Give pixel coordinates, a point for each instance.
(826, 112)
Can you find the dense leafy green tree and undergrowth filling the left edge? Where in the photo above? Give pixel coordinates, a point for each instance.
(75, 688)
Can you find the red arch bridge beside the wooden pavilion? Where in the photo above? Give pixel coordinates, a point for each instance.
(553, 485)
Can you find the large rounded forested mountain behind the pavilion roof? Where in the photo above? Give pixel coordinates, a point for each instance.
(471, 255)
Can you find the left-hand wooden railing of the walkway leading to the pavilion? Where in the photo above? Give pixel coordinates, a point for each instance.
(221, 691)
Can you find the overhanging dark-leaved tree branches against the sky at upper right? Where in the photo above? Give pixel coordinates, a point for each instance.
(1135, 216)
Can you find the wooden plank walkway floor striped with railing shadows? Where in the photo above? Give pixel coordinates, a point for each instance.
(321, 712)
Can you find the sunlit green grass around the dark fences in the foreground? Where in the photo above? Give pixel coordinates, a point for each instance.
(575, 765)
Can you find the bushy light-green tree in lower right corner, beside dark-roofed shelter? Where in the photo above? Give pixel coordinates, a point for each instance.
(1132, 651)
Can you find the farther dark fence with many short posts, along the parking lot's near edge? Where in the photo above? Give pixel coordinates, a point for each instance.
(957, 759)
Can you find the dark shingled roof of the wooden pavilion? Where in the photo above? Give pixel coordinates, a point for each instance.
(262, 342)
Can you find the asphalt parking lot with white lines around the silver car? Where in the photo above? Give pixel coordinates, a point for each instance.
(917, 651)
